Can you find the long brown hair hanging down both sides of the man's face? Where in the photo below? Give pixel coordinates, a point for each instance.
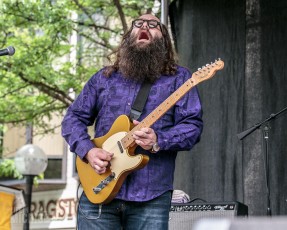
(169, 67)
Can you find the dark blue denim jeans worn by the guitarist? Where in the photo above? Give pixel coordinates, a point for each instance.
(127, 215)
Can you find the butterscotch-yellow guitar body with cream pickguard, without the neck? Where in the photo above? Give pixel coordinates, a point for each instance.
(123, 163)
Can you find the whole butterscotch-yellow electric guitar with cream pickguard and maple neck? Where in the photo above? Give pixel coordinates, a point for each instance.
(101, 189)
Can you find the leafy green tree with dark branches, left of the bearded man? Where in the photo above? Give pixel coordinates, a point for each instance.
(59, 45)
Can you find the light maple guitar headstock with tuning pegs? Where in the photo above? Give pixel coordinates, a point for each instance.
(207, 71)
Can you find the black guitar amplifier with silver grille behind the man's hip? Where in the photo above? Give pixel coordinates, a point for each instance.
(183, 216)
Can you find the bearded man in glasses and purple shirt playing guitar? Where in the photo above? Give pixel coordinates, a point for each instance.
(142, 199)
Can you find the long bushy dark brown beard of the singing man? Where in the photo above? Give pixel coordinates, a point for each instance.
(142, 62)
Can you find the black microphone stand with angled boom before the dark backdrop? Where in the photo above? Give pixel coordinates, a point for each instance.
(266, 145)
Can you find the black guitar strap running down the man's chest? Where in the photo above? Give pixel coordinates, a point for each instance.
(140, 101)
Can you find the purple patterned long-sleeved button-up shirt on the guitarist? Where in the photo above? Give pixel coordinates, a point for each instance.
(103, 99)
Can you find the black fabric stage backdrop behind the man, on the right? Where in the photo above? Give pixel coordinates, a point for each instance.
(250, 36)
